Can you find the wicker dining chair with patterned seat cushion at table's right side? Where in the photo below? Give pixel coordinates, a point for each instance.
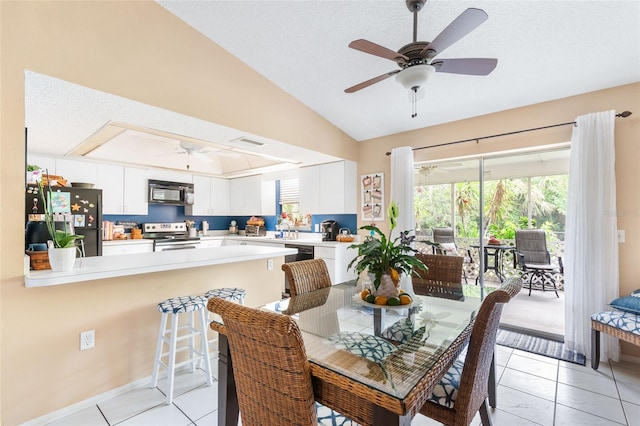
(464, 389)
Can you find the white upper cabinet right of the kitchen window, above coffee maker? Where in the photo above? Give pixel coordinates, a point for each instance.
(329, 188)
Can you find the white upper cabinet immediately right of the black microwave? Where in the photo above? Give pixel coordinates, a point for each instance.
(211, 197)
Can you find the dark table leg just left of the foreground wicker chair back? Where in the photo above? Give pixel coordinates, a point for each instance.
(228, 408)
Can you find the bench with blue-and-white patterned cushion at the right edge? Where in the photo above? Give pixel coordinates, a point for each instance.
(623, 324)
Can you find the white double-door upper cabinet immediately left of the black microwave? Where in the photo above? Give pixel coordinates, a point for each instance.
(124, 189)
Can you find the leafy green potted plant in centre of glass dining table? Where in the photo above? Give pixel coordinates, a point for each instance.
(386, 259)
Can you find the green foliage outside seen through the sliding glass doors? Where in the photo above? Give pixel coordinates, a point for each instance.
(506, 204)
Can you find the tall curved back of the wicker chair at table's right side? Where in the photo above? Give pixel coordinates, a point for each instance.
(475, 374)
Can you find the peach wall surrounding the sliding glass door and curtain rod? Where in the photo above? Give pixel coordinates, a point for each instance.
(372, 157)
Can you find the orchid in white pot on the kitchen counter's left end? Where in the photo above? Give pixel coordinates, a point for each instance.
(62, 246)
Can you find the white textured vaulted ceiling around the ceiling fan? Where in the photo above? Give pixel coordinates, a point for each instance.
(546, 50)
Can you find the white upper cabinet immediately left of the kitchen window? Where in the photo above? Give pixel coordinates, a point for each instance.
(252, 196)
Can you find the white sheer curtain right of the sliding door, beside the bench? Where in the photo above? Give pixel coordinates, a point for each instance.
(591, 245)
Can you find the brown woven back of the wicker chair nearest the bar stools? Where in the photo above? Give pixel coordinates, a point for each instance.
(270, 367)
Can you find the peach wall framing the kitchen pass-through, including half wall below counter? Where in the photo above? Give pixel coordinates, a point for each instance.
(140, 51)
